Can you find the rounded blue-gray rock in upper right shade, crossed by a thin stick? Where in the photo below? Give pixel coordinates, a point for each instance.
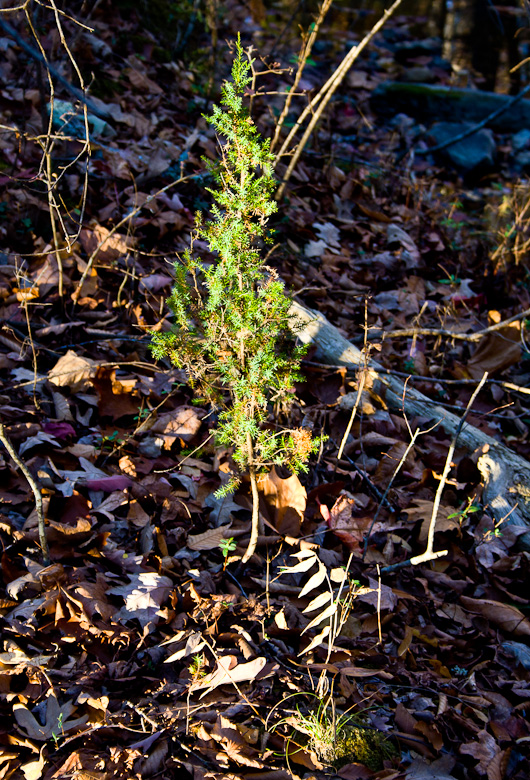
(473, 154)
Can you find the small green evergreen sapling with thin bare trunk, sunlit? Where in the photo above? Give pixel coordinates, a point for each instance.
(231, 316)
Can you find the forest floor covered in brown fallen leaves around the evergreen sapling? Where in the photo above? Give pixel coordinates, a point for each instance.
(143, 649)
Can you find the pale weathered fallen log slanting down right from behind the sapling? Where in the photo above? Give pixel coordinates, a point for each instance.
(506, 475)
